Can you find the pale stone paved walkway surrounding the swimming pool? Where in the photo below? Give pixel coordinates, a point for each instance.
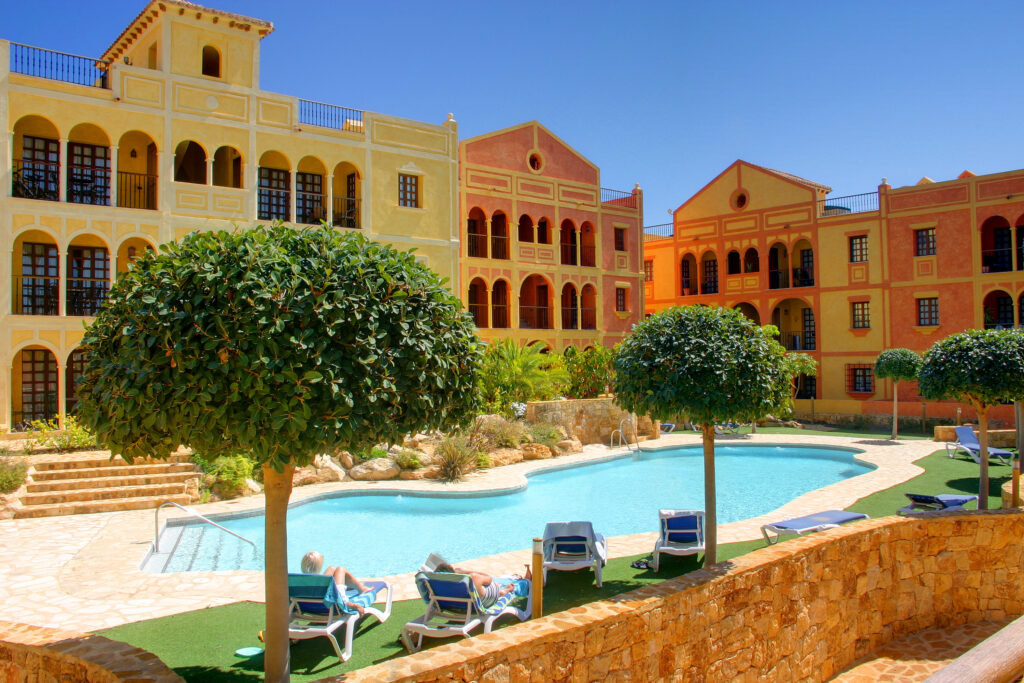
(81, 573)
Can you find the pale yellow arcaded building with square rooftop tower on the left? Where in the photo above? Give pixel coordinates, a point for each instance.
(165, 134)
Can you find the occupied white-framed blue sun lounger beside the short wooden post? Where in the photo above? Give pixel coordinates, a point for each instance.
(455, 609)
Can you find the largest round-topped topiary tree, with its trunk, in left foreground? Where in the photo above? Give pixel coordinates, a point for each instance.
(282, 344)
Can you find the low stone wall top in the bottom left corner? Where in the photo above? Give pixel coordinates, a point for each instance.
(36, 654)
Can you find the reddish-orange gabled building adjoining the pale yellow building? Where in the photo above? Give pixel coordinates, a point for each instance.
(547, 254)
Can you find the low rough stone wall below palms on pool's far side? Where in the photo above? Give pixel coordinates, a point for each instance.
(590, 420)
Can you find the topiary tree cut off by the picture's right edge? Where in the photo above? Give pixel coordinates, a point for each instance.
(982, 368)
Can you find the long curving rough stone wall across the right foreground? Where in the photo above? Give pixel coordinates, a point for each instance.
(798, 612)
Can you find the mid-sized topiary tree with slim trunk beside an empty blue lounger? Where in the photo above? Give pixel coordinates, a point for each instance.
(710, 364)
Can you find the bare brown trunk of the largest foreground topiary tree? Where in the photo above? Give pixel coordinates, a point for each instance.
(277, 489)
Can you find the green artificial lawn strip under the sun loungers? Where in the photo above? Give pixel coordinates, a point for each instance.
(200, 646)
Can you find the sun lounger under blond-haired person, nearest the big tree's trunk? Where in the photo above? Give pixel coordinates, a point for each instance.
(318, 609)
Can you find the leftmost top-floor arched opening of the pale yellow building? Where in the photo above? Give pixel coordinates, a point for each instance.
(36, 163)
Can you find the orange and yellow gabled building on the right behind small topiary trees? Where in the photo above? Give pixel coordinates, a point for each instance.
(846, 278)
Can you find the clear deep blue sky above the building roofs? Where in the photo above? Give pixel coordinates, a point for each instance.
(662, 94)
